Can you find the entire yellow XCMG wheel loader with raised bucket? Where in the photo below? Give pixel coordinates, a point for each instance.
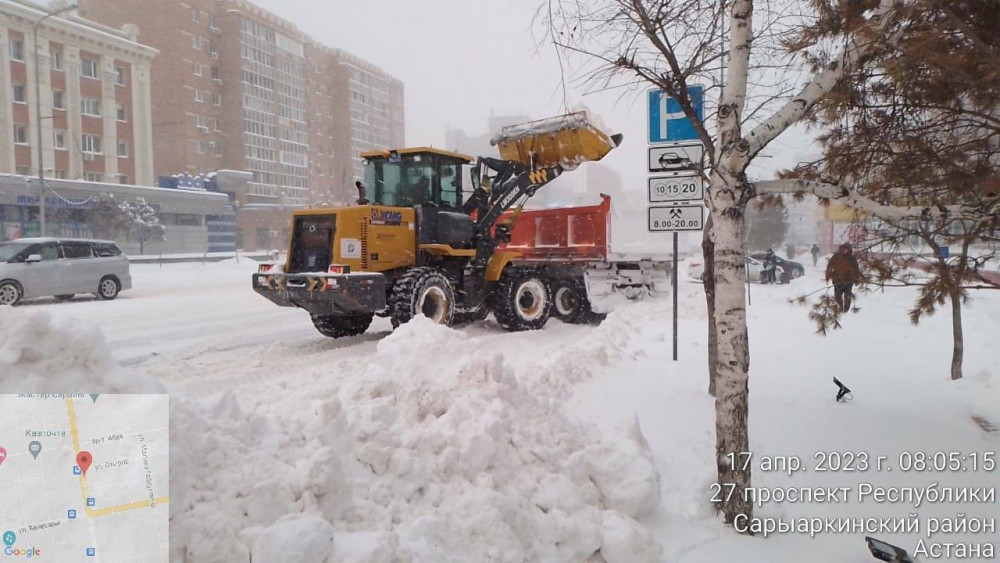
(416, 245)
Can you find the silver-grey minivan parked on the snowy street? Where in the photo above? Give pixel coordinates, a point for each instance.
(61, 268)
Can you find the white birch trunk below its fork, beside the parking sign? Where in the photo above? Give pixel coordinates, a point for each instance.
(733, 364)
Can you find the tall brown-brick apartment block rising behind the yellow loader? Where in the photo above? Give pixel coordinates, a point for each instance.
(238, 87)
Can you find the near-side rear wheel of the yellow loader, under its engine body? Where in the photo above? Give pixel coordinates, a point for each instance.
(422, 291)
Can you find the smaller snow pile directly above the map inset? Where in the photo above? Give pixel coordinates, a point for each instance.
(40, 355)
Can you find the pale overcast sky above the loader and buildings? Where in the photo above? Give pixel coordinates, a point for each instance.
(460, 60)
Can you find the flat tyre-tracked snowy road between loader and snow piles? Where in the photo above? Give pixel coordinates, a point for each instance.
(201, 328)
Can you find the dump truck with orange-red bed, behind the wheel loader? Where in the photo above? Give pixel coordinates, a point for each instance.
(588, 271)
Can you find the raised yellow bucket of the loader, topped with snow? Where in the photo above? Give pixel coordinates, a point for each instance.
(569, 140)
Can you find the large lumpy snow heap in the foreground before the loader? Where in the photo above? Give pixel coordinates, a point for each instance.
(415, 459)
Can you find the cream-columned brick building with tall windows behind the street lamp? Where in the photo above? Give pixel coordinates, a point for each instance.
(95, 97)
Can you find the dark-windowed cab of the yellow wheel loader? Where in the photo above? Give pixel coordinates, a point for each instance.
(419, 176)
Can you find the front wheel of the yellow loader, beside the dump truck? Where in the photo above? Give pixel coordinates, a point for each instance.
(521, 301)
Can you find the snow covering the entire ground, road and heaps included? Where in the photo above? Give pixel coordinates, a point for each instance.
(435, 444)
